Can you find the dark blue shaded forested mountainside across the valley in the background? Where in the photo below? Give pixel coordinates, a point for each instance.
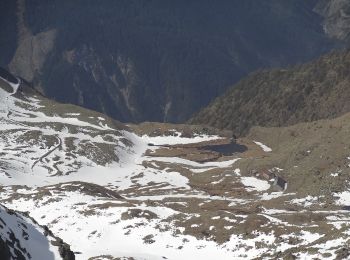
(149, 60)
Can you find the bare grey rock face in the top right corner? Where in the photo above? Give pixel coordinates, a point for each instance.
(336, 15)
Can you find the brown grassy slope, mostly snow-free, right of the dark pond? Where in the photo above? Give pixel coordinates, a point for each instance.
(308, 152)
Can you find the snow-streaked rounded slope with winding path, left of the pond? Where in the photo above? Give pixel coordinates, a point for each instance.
(53, 140)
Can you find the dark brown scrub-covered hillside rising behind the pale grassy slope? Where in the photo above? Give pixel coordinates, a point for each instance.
(279, 97)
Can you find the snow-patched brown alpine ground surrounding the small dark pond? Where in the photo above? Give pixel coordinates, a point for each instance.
(162, 193)
